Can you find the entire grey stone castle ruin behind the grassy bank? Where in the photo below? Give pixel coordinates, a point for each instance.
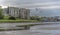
(17, 12)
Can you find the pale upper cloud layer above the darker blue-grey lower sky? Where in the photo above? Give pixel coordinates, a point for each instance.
(31, 3)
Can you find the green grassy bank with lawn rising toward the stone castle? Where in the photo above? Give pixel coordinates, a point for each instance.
(6, 20)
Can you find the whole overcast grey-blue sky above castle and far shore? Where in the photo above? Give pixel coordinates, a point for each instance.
(49, 7)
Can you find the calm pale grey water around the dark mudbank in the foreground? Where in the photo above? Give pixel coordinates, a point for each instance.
(52, 29)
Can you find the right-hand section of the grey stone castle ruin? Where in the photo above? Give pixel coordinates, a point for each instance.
(24, 13)
